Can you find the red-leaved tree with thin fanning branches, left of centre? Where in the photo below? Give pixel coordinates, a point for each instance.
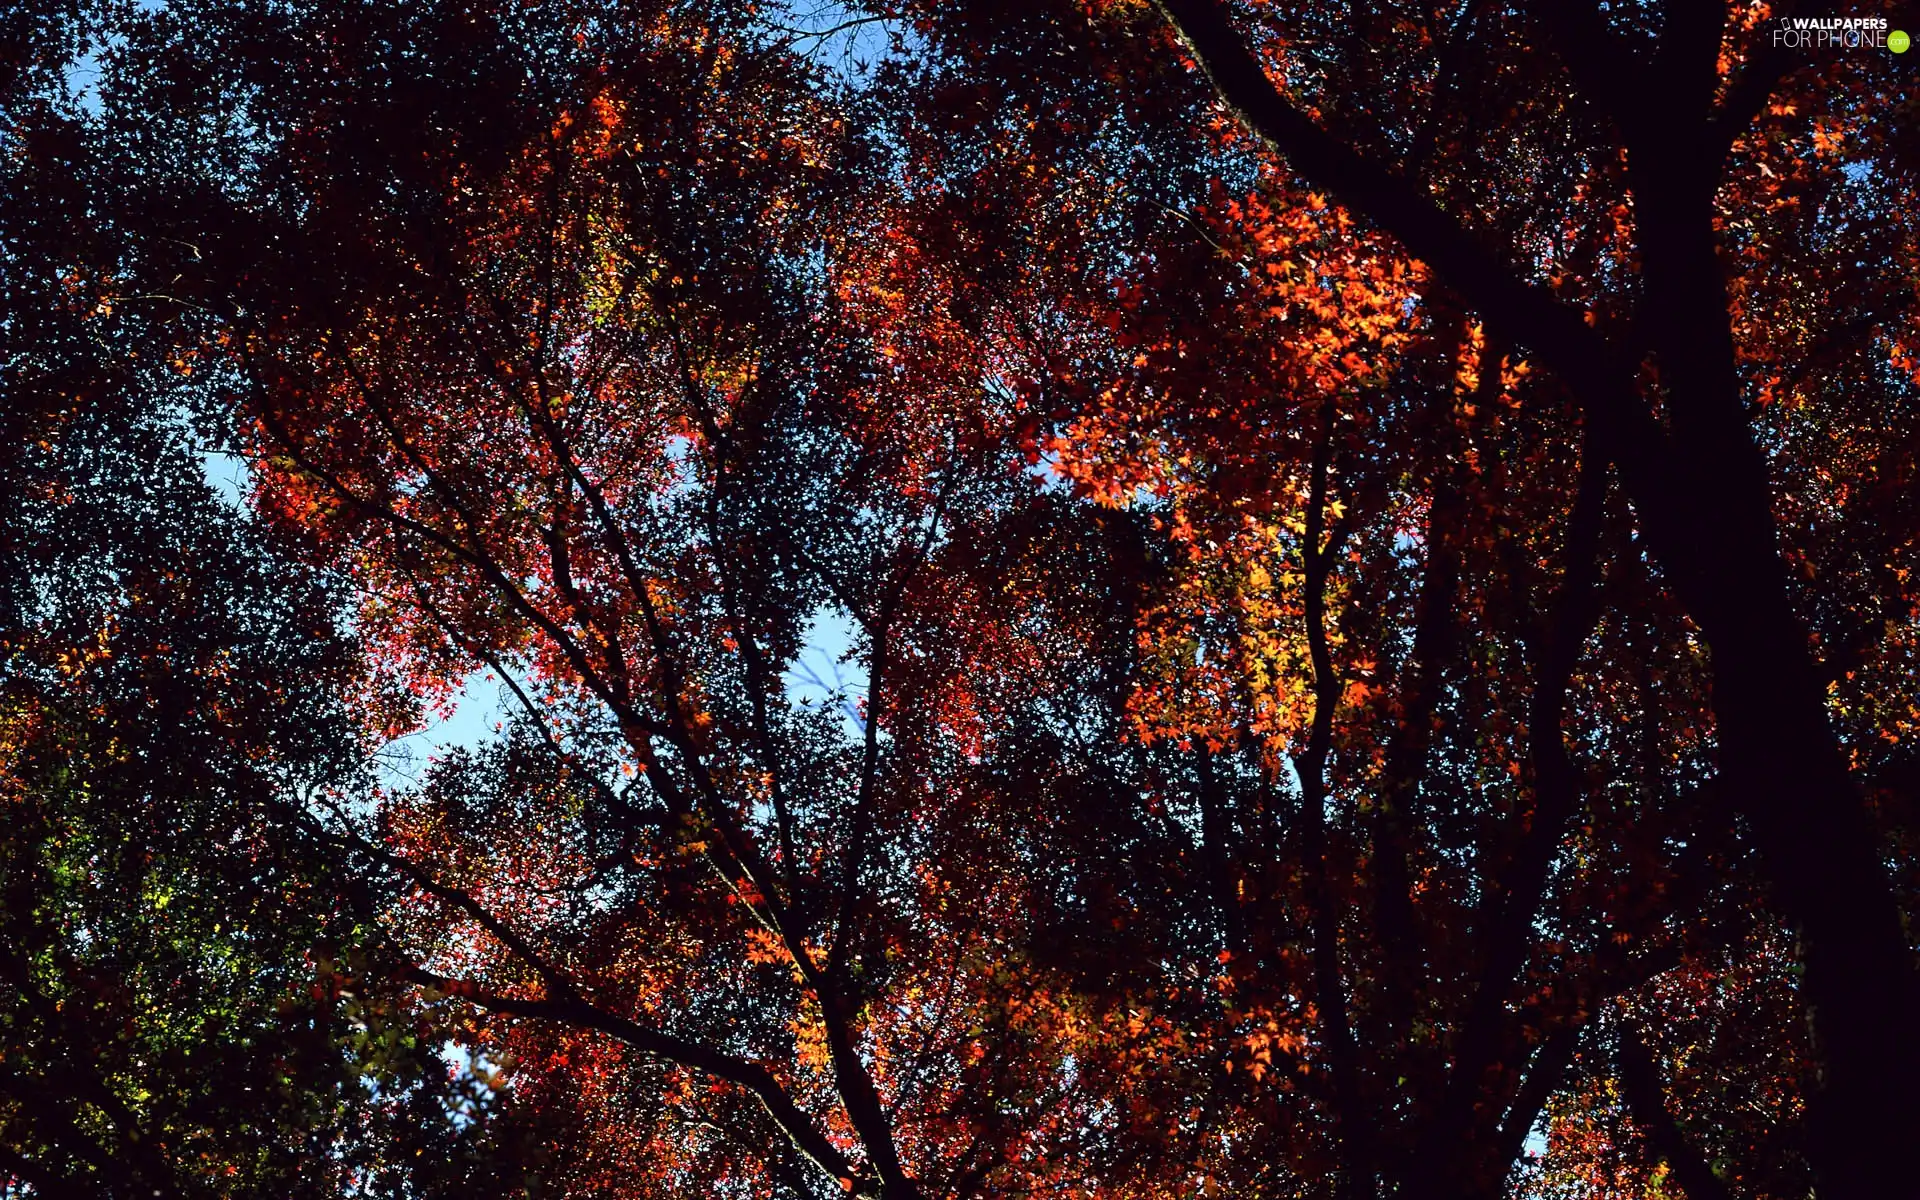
(540, 356)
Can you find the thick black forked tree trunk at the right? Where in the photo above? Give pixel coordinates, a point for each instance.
(1691, 462)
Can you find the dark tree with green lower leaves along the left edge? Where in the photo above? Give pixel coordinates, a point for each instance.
(191, 990)
